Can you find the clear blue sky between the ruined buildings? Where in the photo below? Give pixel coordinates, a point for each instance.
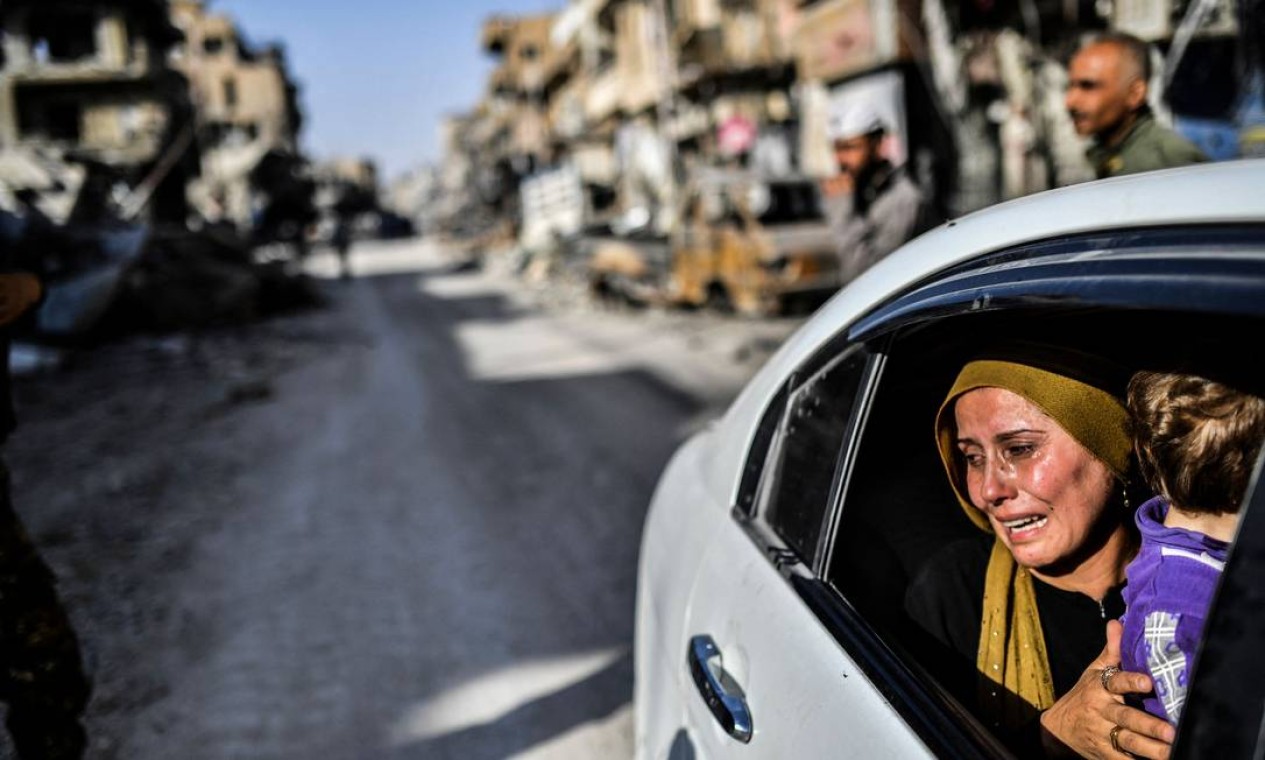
(376, 77)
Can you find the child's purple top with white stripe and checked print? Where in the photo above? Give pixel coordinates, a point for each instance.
(1171, 586)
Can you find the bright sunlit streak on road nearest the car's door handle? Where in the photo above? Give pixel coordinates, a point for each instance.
(488, 699)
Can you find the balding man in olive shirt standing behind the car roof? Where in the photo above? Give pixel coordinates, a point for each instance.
(1108, 89)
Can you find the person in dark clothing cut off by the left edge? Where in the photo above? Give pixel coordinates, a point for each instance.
(42, 676)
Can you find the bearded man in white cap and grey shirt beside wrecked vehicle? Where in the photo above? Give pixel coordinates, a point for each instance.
(875, 207)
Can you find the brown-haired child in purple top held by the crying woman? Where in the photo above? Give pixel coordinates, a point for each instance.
(1197, 443)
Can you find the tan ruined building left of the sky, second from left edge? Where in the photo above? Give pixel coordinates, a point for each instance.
(247, 109)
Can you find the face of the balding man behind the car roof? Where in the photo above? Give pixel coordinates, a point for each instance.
(1104, 90)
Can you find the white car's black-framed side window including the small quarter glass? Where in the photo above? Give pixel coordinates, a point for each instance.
(1191, 300)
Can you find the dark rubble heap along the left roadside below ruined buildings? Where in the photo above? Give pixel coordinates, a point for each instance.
(107, 278)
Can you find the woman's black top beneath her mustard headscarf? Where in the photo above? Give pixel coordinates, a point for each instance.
(947, 600)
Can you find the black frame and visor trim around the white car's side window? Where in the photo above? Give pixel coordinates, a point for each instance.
(1077, 262)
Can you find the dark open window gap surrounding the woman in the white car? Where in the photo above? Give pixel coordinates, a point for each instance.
(900, 520)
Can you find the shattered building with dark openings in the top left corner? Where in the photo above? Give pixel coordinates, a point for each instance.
(88, 84)
